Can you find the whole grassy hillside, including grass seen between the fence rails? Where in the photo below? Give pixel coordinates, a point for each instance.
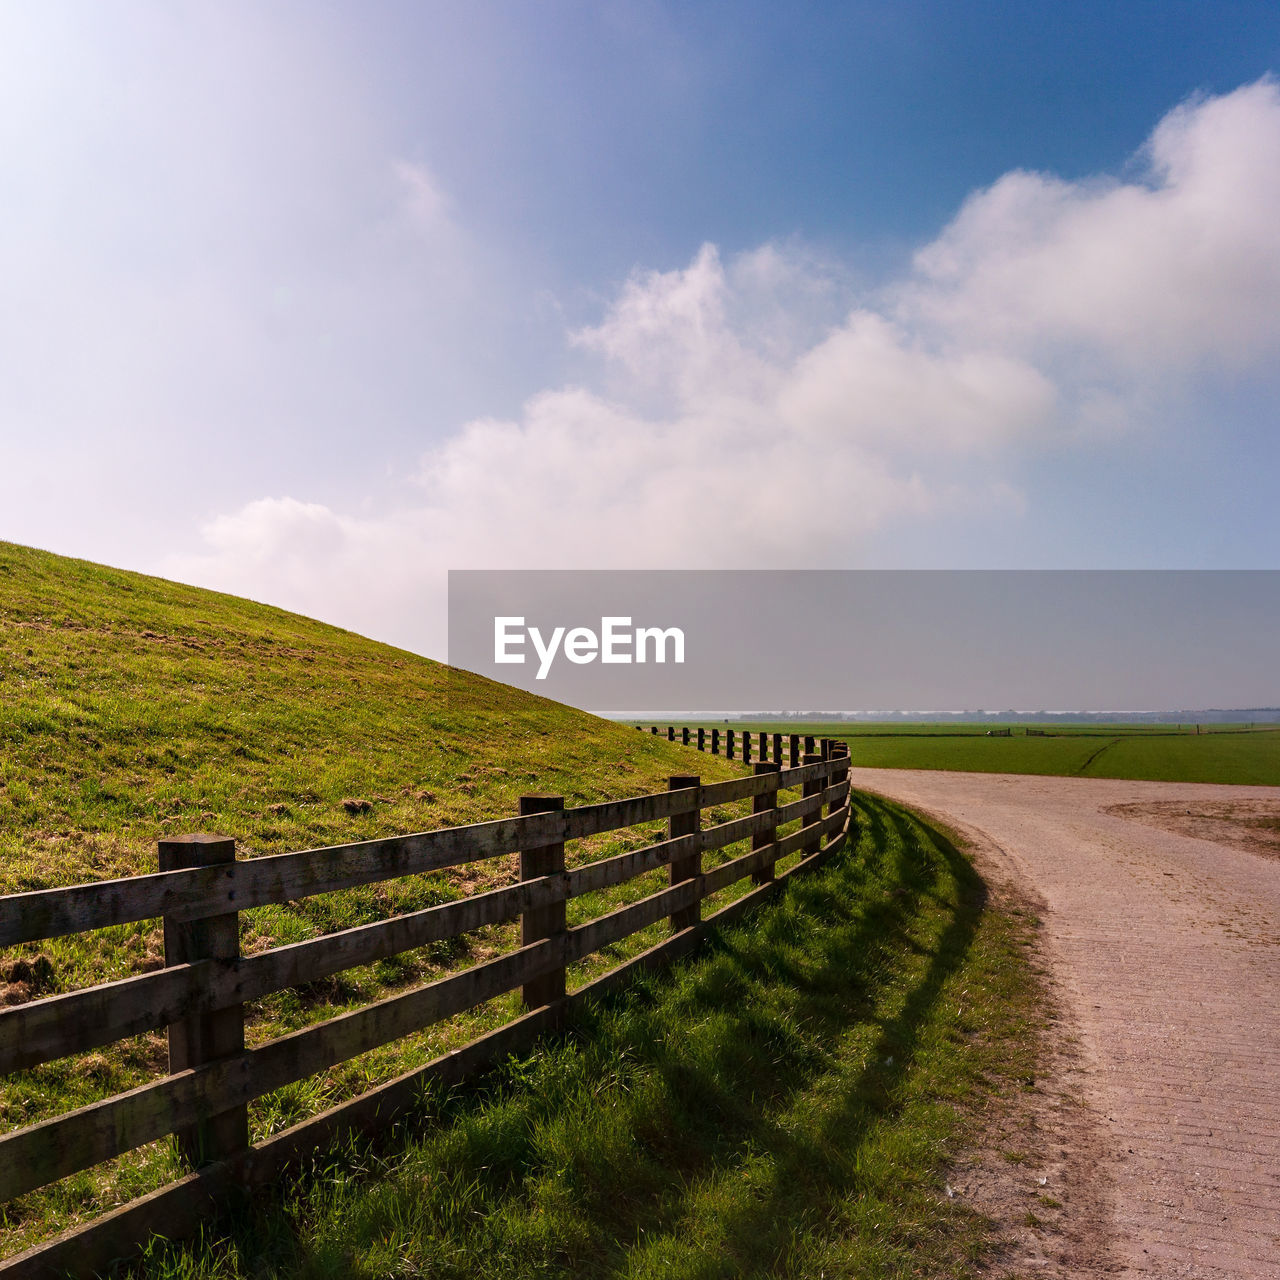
(132, 708)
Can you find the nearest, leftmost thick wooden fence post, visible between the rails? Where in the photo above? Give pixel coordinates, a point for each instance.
(203, 1039)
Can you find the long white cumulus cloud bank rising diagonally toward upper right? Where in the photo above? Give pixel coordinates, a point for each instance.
(734, 424)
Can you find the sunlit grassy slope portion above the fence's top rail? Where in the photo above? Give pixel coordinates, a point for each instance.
(132, 708)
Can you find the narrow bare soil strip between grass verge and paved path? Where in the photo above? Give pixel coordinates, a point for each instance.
(1037, 1174)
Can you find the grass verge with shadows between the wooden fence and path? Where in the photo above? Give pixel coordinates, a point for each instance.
(785, 1104)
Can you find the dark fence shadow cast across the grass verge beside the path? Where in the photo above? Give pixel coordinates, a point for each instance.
(831, 989)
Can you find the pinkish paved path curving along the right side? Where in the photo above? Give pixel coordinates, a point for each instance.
(1168, 954)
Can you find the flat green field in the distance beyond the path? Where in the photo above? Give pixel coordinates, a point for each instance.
(1219, 753)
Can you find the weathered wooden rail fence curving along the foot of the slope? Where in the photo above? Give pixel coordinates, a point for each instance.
(200, 995)
